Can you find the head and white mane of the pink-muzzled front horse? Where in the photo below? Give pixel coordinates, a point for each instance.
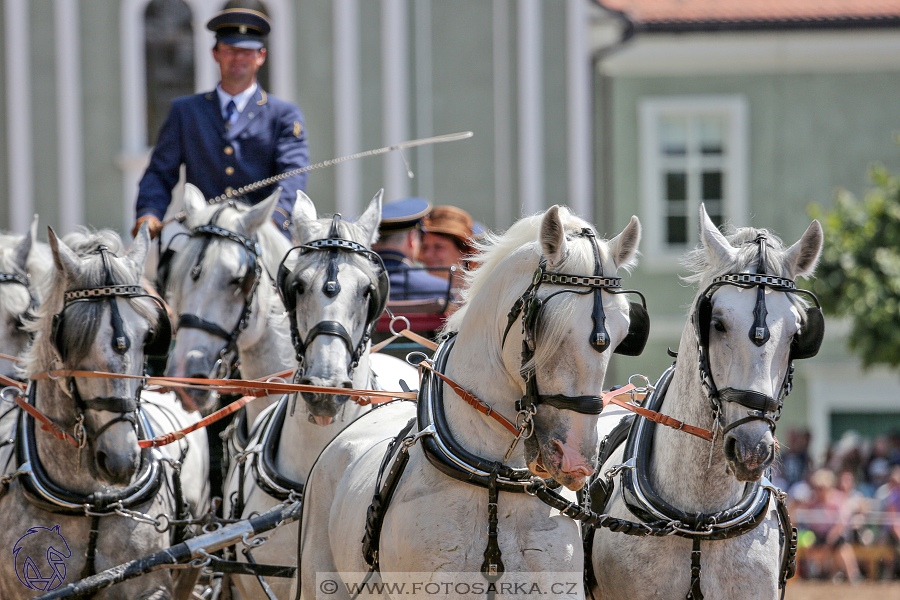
(572, 320)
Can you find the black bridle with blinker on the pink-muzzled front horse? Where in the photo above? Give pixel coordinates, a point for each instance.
(529, 306)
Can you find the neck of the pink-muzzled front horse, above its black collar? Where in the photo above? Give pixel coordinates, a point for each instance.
(478, 368)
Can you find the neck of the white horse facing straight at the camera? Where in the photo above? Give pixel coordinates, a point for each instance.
(301, 441)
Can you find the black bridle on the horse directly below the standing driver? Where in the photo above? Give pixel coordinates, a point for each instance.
(248, 286)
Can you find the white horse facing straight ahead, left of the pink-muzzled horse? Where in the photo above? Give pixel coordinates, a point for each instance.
(334, 295)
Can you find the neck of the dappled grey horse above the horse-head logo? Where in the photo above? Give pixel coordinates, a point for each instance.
(66, 467)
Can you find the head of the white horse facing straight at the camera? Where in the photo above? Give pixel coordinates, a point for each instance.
(334, 288)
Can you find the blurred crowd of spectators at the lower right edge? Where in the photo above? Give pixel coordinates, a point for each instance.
(846, 507)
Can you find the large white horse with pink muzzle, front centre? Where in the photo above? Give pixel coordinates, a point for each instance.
(556, 275)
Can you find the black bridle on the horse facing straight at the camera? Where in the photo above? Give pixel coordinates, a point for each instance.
(289, 287)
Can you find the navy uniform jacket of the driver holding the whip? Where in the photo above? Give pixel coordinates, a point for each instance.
(268, 139)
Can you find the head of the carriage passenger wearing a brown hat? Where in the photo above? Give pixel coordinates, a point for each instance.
(446, 242)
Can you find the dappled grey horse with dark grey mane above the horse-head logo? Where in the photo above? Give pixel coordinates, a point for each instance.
(95, 317)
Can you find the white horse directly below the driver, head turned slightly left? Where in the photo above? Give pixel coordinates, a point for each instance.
(219, 284)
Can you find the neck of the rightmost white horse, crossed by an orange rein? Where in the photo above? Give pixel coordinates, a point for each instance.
(680, 464)
